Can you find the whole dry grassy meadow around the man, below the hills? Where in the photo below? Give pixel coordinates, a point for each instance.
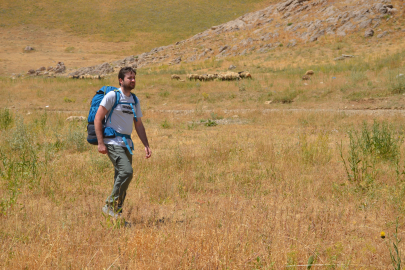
(316, 174)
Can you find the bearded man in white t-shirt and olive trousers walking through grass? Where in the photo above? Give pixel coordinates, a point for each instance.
(118, 149)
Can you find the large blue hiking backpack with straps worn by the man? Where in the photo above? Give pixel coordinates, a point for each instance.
(108, 132)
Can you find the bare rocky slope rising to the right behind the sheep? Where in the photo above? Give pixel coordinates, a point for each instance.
(288, 23)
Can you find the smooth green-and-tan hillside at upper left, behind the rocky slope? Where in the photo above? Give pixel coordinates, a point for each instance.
(81, 33)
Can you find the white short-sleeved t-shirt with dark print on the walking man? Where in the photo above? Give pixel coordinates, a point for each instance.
(122, 116)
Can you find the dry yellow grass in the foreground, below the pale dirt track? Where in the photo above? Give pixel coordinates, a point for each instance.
(263, 191)
